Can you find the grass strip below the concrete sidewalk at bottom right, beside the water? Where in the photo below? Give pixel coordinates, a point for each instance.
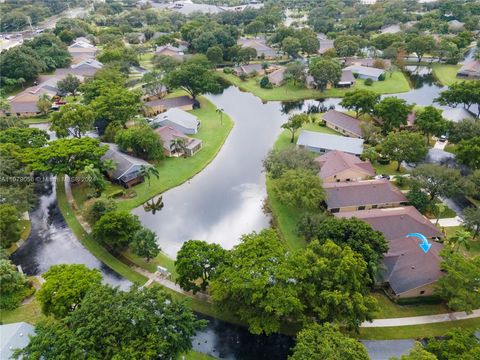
(416, 331)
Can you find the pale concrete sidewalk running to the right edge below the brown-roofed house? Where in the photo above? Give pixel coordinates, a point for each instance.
(419, 320)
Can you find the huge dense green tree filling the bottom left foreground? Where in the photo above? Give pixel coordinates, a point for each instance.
(142, 323)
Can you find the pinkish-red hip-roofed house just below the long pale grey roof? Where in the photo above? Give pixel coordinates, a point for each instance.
(338, 166)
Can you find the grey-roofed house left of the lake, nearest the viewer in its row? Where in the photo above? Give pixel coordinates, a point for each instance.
(127, 170)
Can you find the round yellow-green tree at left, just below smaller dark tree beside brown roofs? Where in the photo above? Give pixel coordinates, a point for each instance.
(73, 119)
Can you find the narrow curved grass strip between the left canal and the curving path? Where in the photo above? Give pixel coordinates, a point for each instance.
(95, 248)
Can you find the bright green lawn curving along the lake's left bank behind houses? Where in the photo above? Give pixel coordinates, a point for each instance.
(175, 171)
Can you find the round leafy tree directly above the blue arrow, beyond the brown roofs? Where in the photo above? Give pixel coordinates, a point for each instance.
(437, 180)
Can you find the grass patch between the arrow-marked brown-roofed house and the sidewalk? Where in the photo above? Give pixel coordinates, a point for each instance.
(389, 309)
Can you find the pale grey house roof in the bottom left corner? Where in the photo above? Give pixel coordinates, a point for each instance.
(14, 336)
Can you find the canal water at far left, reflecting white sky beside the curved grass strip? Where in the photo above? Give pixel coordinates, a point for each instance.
(51, 242)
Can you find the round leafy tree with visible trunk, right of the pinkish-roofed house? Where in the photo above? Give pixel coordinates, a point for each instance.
(404, 146)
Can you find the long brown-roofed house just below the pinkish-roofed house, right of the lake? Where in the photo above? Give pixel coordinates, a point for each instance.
(362, 195)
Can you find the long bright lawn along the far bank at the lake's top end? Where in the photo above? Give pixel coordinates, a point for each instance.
(395, 82)
